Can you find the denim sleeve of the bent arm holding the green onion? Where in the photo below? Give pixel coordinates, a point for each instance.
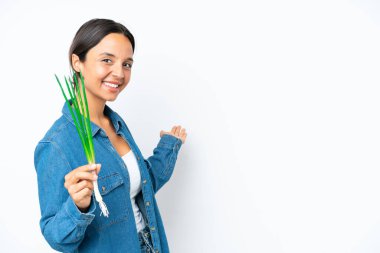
(62, 223)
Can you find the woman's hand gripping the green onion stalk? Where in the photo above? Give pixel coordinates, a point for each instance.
(79, 184)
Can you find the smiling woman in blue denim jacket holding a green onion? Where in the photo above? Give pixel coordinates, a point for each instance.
(71, 220)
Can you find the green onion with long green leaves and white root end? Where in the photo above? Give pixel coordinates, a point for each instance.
(81, 117)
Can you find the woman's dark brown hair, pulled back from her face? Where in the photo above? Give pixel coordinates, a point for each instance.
(92, 32)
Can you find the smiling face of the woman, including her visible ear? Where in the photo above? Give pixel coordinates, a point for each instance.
(107, 67)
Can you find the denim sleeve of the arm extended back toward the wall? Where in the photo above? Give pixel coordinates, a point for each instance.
(161, 163)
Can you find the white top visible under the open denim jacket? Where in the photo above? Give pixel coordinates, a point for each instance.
(135, 182)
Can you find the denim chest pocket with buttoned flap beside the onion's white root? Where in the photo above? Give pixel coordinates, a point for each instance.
(113, 191)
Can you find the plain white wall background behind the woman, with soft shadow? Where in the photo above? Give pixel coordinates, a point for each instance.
(280, 100)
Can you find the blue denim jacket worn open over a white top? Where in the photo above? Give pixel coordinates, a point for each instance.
(63, 225)
